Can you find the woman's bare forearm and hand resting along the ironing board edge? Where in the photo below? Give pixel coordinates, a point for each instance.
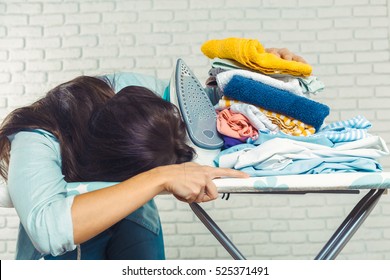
(189, 182)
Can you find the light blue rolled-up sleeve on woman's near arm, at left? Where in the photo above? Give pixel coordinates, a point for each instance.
(39, 192)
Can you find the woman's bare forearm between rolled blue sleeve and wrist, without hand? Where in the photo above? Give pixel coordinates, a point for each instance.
(94, 212)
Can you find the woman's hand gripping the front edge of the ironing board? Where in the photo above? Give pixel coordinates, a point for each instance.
(191, 182)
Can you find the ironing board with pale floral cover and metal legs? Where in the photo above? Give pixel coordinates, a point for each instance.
(375, 183)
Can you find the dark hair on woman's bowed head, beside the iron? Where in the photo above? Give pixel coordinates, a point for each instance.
(135, 131)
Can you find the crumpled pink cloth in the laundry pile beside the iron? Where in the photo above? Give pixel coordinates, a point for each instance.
(235, 125)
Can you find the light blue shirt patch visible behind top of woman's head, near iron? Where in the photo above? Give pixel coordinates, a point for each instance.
(123, 79)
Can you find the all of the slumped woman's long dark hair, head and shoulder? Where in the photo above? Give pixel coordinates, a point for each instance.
(102, 136)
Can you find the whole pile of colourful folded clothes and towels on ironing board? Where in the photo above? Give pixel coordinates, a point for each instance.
(270, 123)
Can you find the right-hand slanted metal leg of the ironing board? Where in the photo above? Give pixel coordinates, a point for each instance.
(350, 225)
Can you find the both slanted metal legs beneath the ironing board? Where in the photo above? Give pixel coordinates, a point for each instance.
(331, 249)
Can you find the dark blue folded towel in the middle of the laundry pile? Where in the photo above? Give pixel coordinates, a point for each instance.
(276, 100)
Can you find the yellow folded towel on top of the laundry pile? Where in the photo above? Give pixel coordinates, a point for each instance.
(251, 53)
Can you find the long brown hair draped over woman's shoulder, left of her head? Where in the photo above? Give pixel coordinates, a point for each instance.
(65, 112)
